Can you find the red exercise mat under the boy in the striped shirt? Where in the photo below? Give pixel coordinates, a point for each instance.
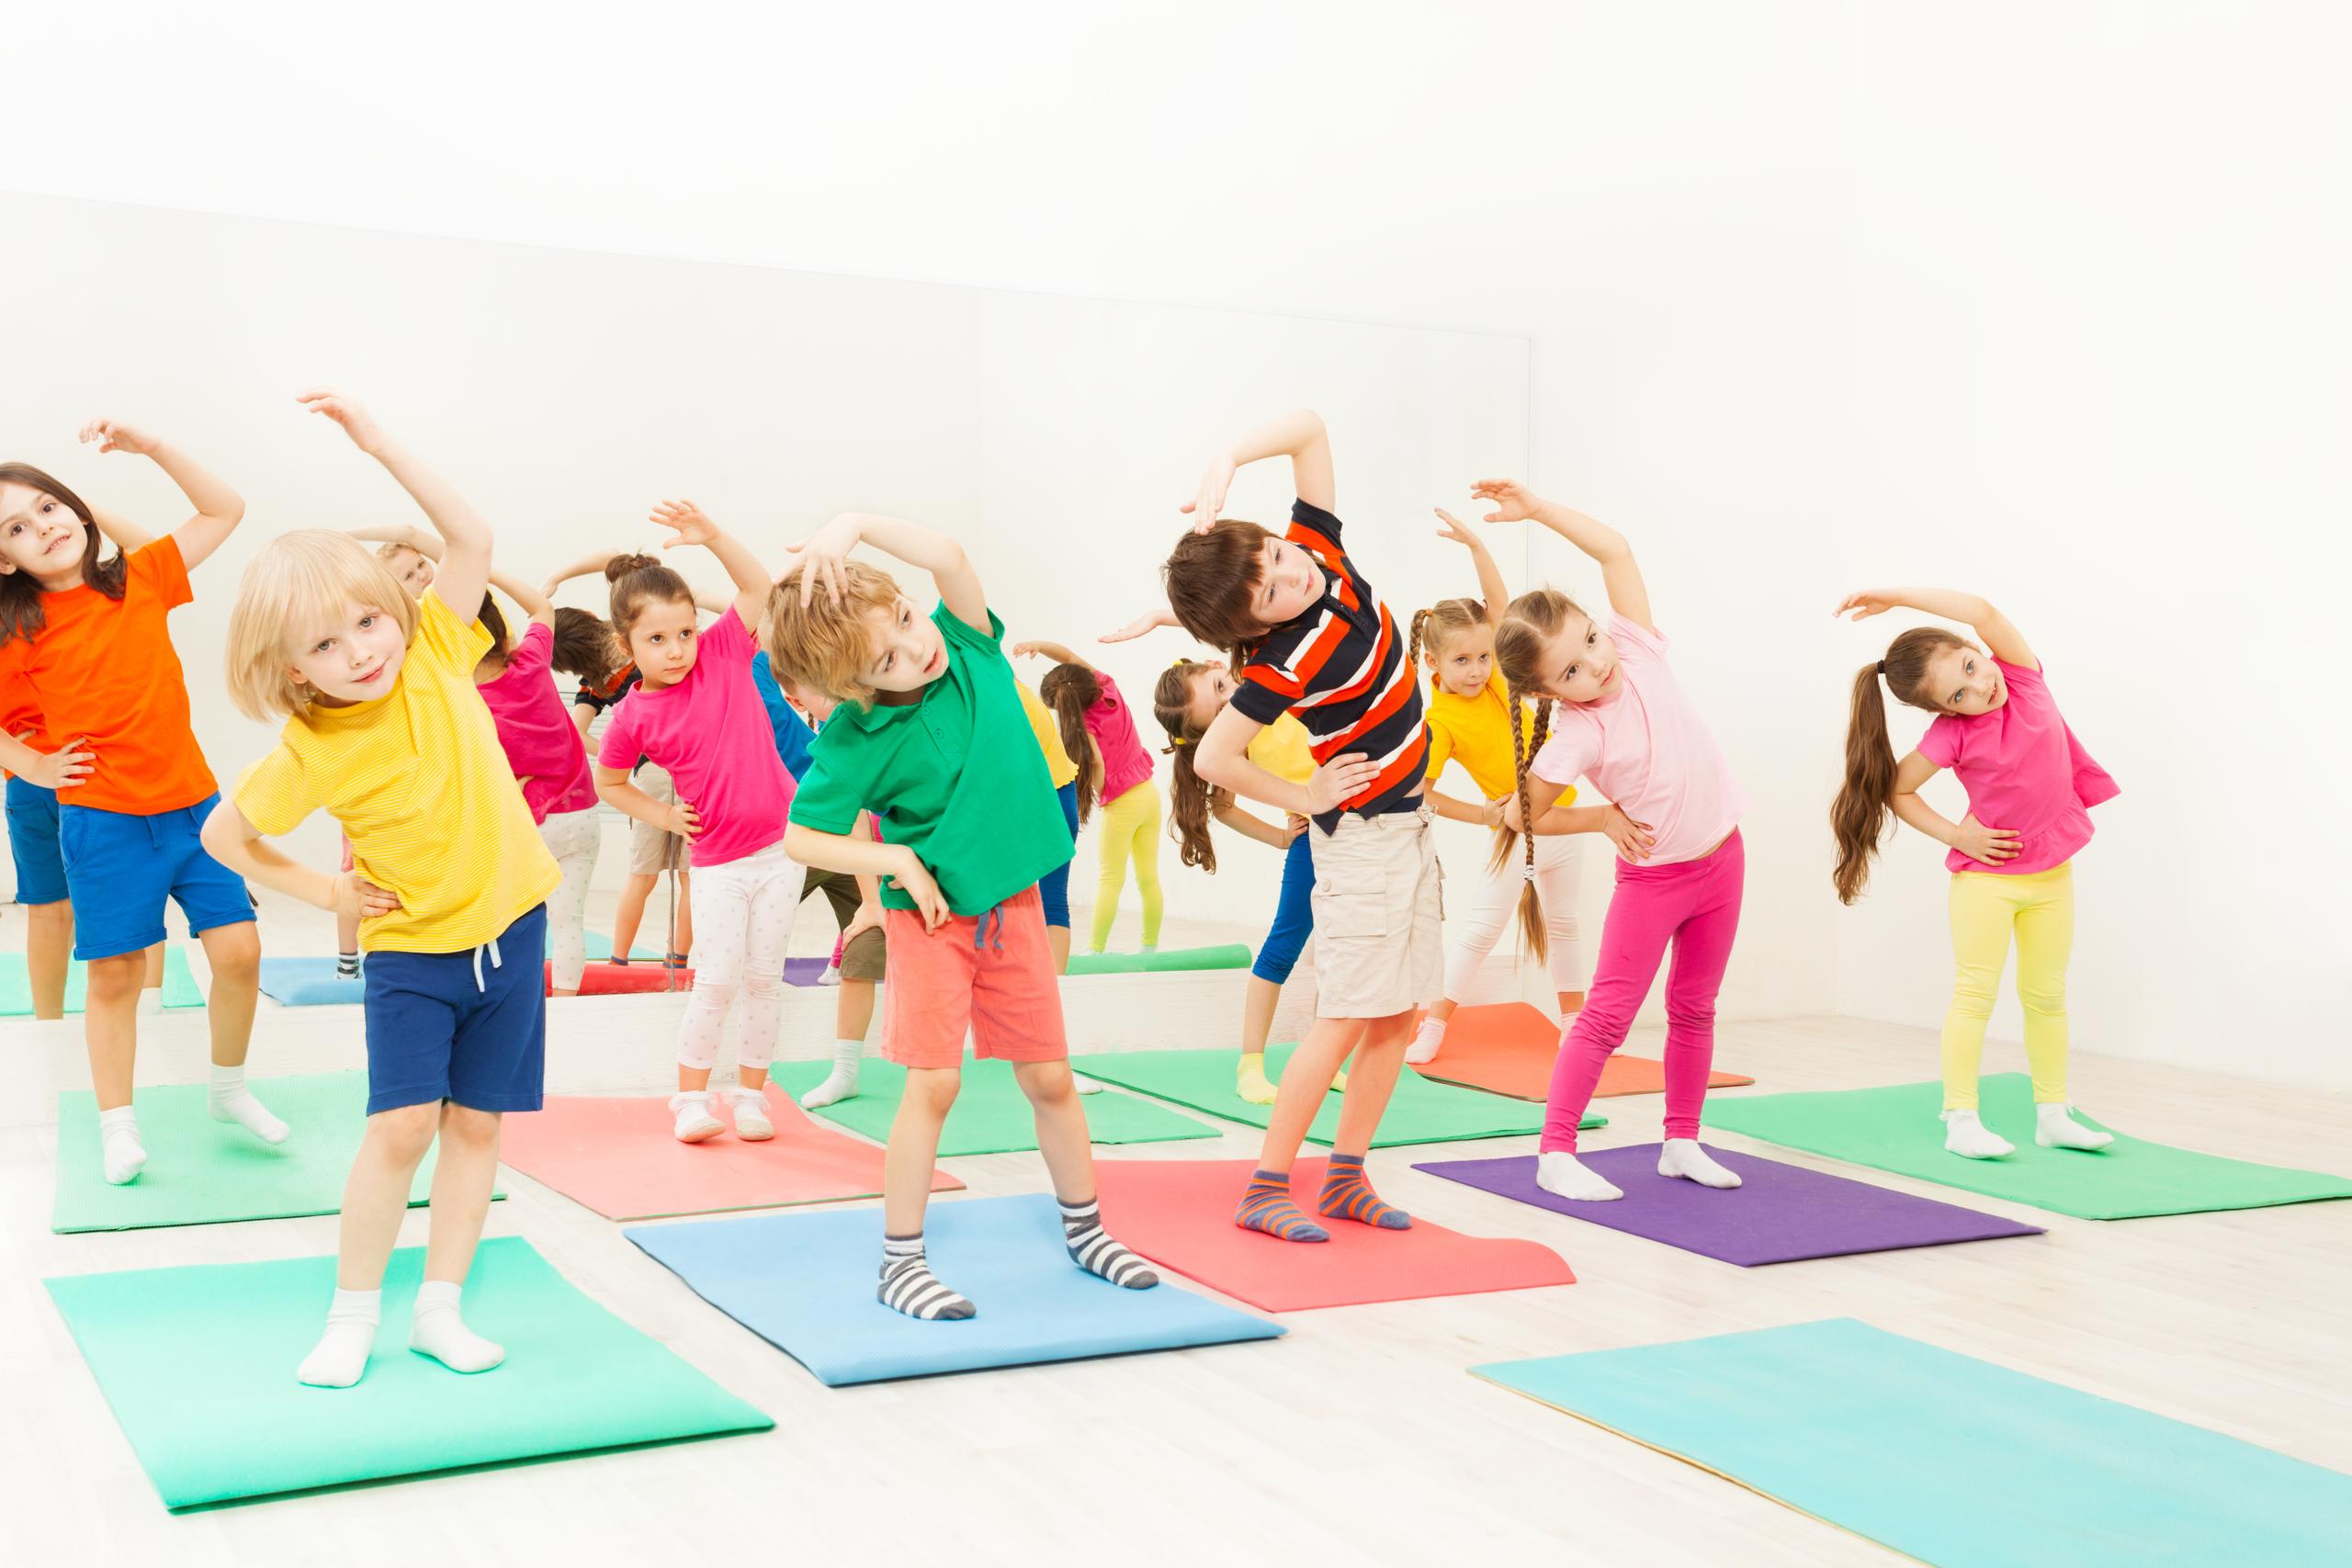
(1180, 1214)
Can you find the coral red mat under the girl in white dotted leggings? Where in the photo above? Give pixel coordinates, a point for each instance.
(620, 1160)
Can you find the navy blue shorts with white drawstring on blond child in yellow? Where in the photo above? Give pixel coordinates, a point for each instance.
(460, 1026)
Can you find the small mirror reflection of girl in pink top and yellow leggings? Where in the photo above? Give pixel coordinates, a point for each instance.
(1100, 732)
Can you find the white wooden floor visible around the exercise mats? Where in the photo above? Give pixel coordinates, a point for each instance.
(1356, 1438)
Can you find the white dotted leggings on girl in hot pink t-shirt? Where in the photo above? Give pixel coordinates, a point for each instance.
(742, 927)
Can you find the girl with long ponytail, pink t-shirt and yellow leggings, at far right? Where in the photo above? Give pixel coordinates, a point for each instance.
(2003, 735)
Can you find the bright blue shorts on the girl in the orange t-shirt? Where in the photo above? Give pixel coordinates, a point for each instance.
(123, 869)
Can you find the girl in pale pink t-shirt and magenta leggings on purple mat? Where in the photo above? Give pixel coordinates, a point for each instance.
(1610, 709)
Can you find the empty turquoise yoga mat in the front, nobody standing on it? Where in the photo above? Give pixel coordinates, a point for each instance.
(1949, 1459)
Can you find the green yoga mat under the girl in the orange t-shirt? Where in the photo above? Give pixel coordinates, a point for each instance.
(206, 1172)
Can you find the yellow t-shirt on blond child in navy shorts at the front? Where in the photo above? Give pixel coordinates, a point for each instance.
(422, 789)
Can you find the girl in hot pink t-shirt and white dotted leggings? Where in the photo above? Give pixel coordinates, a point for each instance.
(697, 716)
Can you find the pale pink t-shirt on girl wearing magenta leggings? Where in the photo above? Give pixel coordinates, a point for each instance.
(1650, 753)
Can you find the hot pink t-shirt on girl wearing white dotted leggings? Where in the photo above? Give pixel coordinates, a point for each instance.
(714, 739)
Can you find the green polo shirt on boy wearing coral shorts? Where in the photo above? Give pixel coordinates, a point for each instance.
(956, 777)
